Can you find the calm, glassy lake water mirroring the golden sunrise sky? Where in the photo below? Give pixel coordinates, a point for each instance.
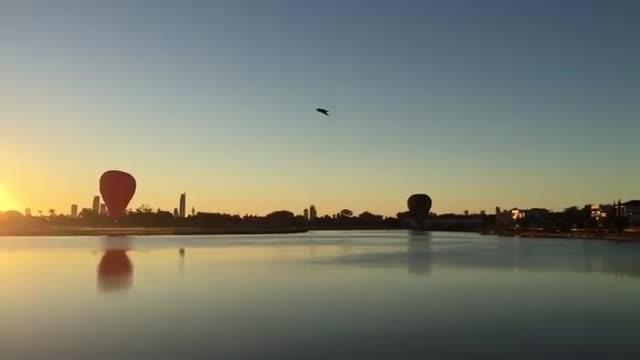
(319, 295)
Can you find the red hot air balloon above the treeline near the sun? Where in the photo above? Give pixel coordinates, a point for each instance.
(117, 189)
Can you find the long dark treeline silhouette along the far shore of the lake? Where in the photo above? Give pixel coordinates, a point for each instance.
(609, 219)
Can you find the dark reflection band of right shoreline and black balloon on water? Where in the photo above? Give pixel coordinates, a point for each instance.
(424, 255)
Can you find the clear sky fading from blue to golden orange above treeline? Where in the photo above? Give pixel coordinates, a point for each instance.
(477, 103)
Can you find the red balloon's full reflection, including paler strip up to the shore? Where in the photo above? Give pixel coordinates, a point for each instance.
(115, 270)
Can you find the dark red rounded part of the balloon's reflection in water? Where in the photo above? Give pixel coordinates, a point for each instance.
(115, 271)
